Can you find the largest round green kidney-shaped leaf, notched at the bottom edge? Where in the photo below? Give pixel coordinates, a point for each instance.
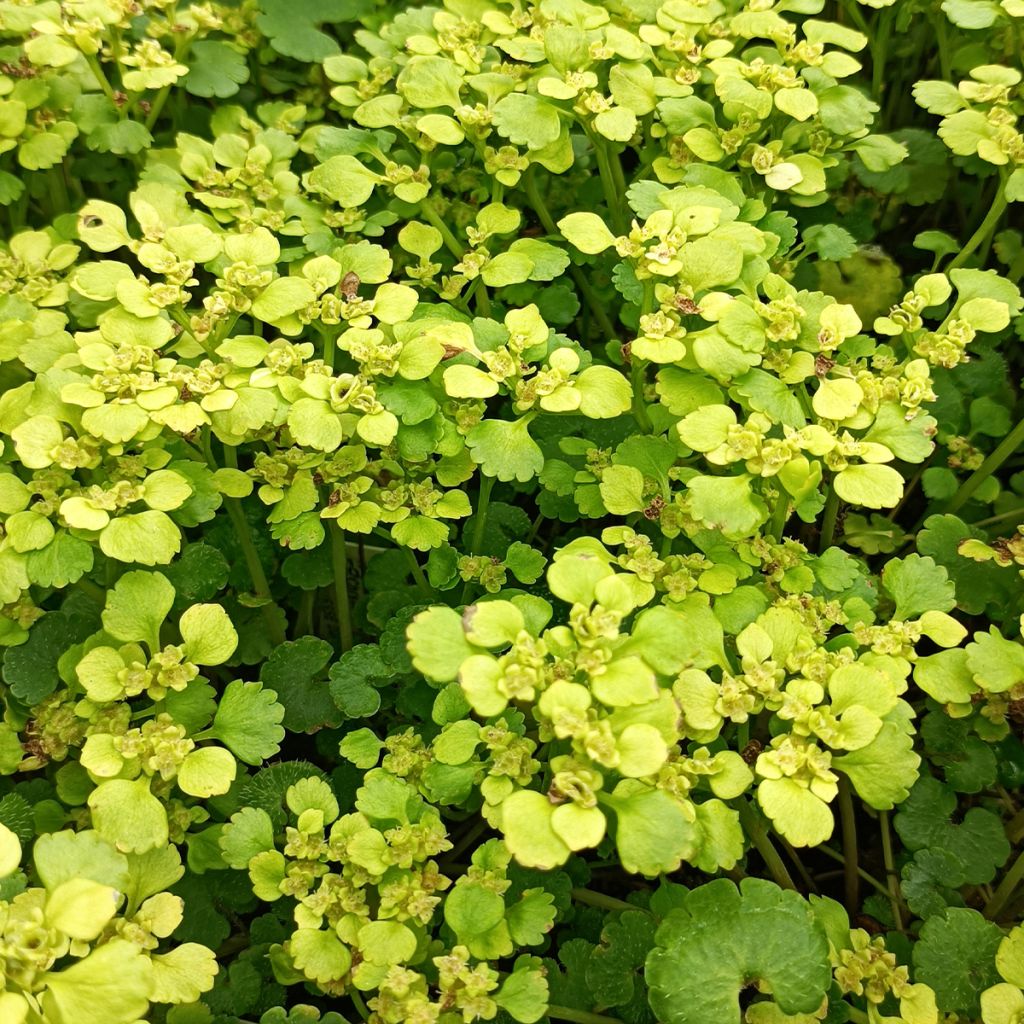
(720, 940)
